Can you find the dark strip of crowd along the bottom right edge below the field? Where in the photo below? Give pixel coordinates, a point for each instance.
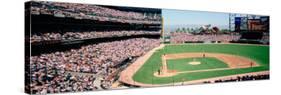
(242, 78)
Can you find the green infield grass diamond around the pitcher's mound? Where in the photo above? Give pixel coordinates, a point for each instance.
(206, 63)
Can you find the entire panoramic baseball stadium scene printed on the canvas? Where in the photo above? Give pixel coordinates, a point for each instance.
(72, 47)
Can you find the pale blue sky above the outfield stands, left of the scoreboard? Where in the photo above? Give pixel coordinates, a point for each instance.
(185, 17)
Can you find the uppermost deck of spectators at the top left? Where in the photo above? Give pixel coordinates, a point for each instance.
(93, 12)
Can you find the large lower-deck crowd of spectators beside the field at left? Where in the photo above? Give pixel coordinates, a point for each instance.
(55, 72)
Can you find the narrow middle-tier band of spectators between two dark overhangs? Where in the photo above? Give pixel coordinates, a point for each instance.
(85, 35)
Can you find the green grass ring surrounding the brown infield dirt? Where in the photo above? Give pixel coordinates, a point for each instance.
(255, 52)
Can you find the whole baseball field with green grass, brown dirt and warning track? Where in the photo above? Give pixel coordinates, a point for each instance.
(189, 62)
